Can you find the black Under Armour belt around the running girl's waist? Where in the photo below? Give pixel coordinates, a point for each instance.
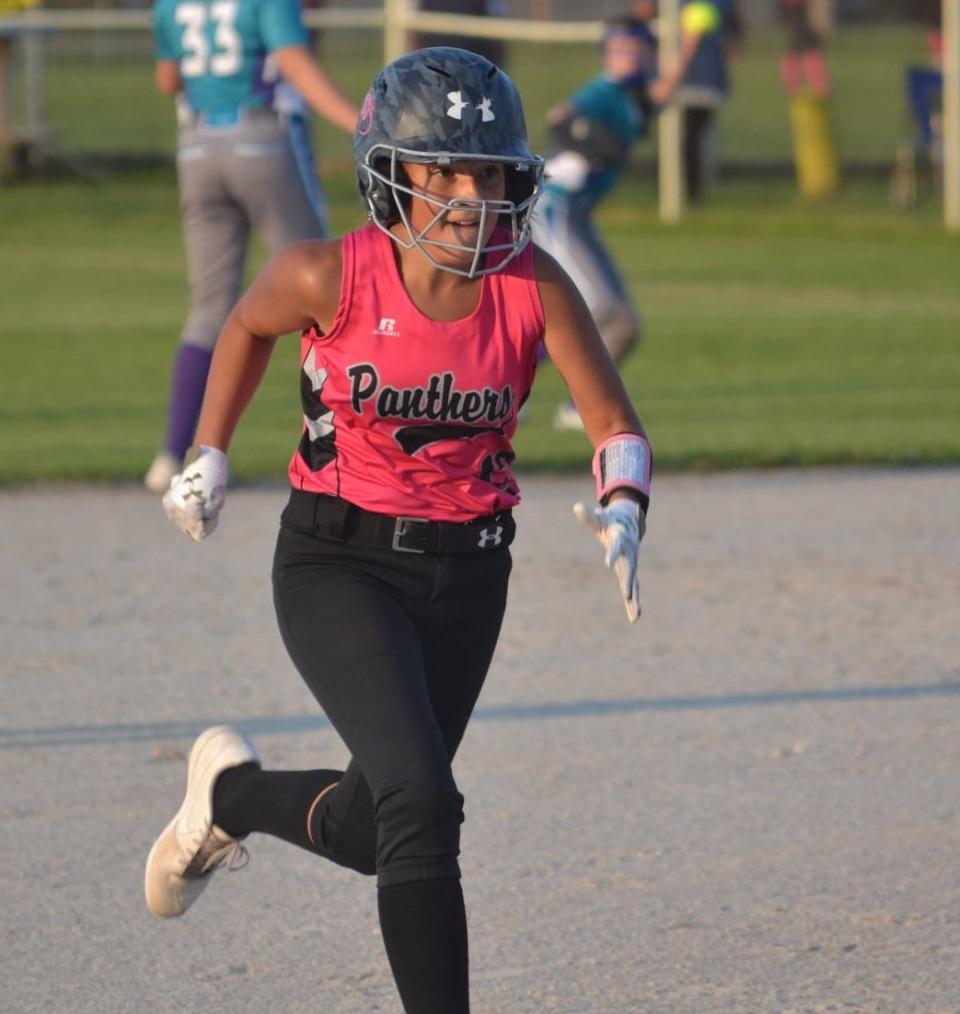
(332, 518)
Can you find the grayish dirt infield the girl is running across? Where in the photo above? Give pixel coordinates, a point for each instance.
(749, 803)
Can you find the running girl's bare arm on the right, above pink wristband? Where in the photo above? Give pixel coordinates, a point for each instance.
(578, 352)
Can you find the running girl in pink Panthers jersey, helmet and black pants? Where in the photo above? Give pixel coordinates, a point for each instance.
(420, 336)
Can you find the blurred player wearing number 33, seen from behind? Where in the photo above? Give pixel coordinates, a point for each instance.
(237, 167)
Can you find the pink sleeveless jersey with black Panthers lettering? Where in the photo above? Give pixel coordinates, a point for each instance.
(406, 415)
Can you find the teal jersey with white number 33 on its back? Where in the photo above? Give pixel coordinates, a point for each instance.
(223, 48)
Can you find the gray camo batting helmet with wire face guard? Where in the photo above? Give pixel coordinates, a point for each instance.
(440, 106)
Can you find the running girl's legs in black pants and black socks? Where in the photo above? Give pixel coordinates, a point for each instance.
(396, 647)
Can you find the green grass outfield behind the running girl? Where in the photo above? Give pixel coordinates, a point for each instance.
(777, 333)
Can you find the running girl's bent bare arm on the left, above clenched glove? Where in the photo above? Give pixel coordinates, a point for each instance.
(298, 288)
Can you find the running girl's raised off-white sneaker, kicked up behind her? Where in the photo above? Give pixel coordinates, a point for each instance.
(192, 847)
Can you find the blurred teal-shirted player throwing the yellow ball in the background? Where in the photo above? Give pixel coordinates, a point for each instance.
(592, 137)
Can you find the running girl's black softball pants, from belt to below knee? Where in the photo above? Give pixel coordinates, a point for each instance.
(396, 647)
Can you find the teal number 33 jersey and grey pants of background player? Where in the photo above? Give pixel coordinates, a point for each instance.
(237, 167)
